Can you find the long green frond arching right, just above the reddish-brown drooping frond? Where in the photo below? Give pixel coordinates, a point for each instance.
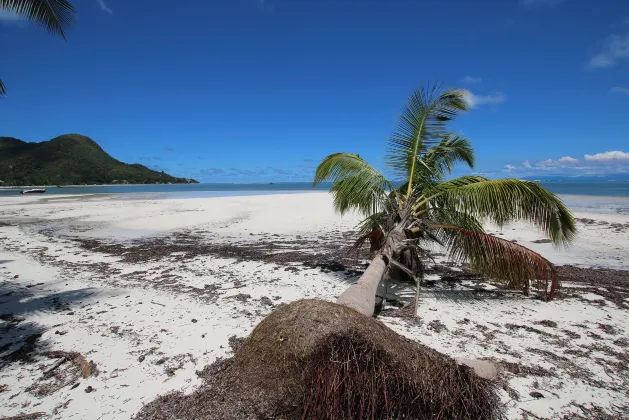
(507, 200)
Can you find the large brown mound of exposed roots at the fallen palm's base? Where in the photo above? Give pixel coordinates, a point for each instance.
(319, 360)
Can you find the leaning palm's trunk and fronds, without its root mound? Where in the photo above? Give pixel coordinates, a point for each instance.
(402, 220)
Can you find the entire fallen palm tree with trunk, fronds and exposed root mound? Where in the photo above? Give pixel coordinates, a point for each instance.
(320, 360)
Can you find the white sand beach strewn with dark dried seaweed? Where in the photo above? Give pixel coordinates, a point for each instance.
(151, 290)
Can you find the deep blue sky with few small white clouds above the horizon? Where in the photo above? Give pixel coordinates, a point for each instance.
(261, 90)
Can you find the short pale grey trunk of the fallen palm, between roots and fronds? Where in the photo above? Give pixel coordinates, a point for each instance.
(361, 295)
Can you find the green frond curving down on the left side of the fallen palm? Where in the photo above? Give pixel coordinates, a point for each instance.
(355, 183)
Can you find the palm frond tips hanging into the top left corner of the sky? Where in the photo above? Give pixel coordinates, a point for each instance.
(56, 16)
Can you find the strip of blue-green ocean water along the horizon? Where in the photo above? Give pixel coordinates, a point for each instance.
(608, 197)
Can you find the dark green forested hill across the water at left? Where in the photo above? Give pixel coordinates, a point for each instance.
(70, 159)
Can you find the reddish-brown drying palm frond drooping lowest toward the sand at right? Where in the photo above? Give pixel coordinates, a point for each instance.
(500, 259)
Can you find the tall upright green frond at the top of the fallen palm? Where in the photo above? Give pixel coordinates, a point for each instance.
(422, 124)
